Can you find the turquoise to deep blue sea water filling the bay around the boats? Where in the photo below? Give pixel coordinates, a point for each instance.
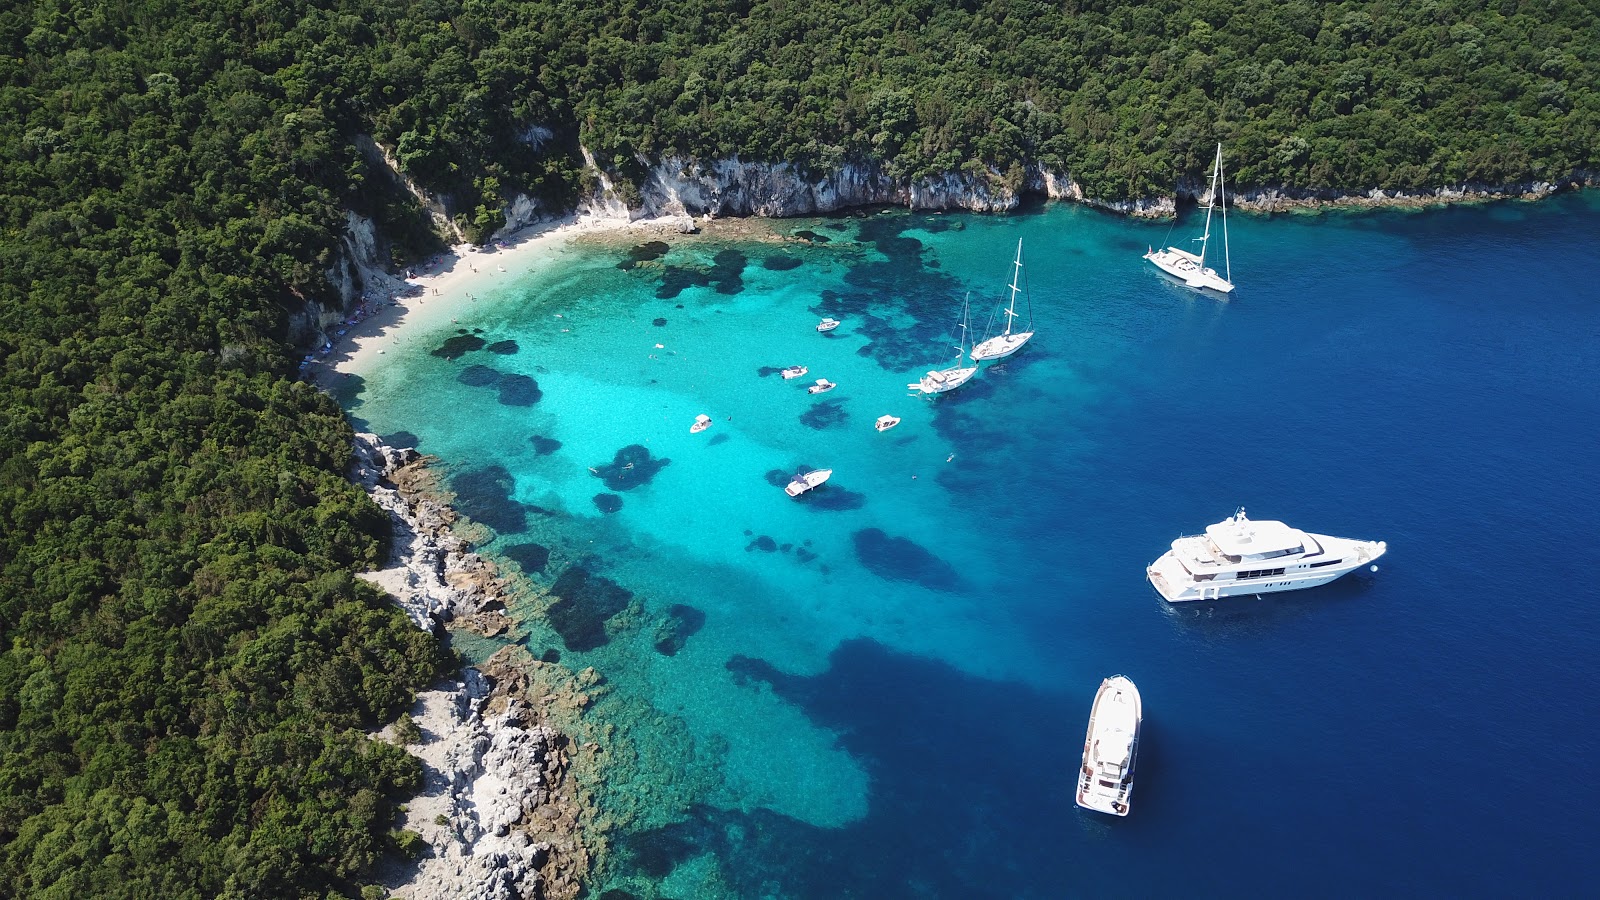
(881, 689)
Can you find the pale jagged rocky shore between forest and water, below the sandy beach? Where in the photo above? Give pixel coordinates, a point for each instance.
(500, 813)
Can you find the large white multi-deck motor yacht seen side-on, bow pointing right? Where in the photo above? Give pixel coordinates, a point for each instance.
(1239, 556)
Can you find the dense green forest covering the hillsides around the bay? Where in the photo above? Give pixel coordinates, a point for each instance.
(186, 661)
